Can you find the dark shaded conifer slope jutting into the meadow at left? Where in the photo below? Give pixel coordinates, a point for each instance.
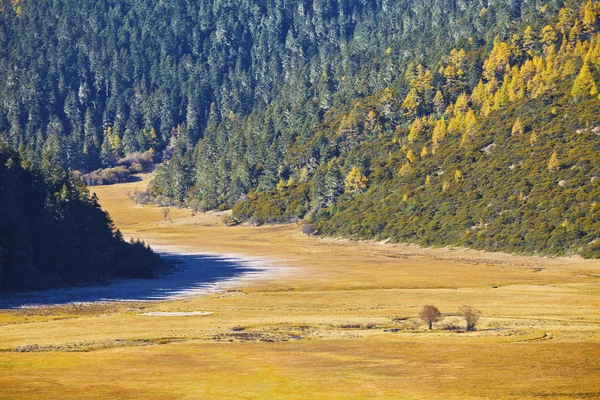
(52, 232)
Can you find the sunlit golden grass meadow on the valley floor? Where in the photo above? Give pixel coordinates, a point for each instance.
(339, 322)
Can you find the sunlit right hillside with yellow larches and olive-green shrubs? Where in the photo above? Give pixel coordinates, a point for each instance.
(508, 163)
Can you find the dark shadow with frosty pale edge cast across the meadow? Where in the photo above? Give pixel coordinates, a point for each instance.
(195, 274)
